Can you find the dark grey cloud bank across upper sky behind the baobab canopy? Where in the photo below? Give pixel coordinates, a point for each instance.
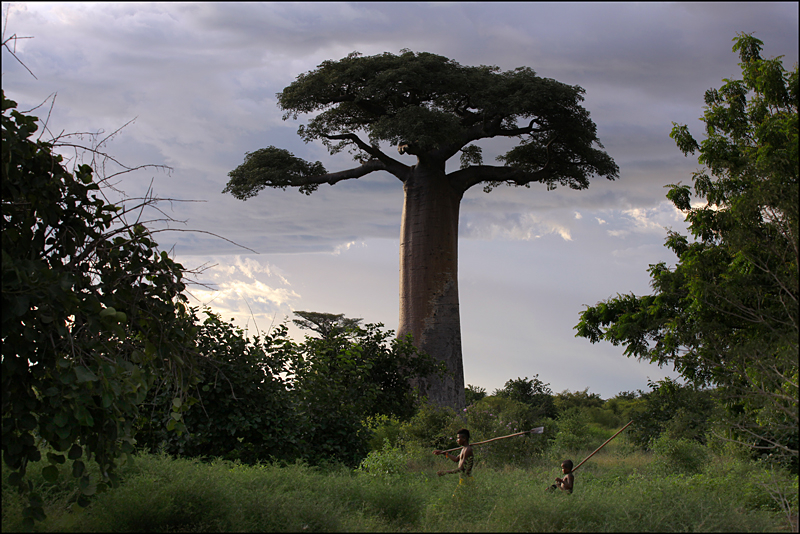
(202, 80)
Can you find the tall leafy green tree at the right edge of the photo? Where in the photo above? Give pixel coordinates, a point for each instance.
(727, 314)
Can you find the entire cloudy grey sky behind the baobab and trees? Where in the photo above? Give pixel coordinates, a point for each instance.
(201, 79)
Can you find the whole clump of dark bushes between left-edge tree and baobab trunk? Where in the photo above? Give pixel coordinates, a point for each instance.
(270, 398)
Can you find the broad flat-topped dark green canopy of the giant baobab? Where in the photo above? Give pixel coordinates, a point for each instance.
(431, 107)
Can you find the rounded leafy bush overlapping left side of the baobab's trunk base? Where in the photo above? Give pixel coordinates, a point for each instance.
(348, 377)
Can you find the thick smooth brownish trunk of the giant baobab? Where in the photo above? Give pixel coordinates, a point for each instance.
(429, 279)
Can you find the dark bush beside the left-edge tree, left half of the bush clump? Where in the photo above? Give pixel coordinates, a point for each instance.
(244, 407)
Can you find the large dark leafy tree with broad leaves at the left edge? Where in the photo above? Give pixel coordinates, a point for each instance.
(92, 315)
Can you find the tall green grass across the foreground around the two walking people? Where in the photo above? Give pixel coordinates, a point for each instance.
(618, 490)
